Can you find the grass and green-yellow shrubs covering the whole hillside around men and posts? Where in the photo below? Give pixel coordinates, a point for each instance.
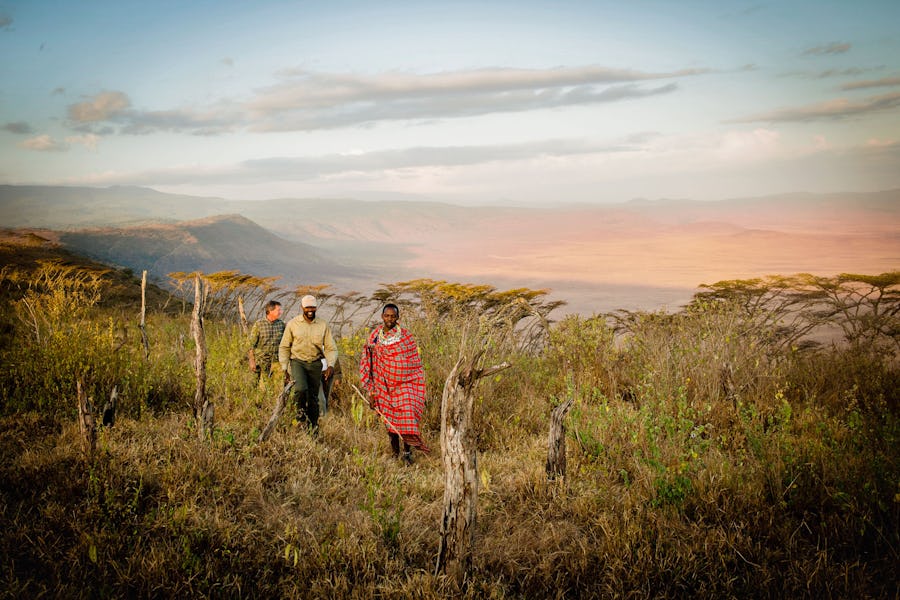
(706, 458)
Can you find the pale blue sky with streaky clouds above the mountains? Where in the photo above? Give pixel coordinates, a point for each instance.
(524, 102)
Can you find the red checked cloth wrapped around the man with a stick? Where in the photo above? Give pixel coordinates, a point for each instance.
(390, 370)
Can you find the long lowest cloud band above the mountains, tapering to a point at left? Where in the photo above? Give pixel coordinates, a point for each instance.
(481, 173)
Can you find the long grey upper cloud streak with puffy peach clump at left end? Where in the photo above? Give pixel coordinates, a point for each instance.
(307, 101)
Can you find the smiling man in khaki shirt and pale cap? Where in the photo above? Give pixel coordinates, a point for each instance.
(306, 341)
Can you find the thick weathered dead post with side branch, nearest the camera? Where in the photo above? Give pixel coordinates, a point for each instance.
(460, 470)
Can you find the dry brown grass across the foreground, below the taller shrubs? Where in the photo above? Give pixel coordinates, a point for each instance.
(160, 513)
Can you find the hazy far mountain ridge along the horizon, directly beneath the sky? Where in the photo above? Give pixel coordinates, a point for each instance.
(334, 218)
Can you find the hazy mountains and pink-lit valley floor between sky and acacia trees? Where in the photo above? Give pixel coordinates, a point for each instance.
(640, 254)
